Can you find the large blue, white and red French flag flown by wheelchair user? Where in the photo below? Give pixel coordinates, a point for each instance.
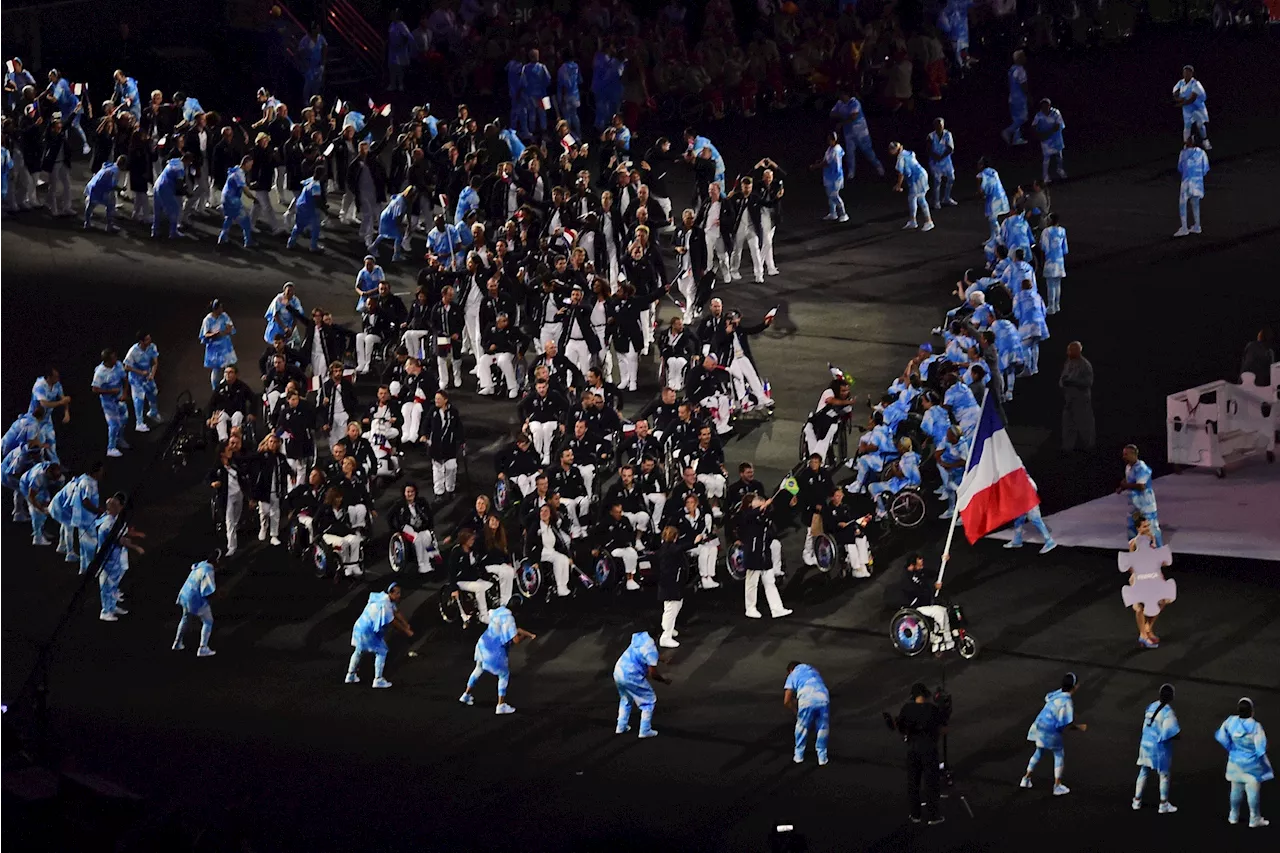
(996, 489)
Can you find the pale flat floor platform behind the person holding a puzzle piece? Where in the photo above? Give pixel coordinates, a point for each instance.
(1235, 517)
